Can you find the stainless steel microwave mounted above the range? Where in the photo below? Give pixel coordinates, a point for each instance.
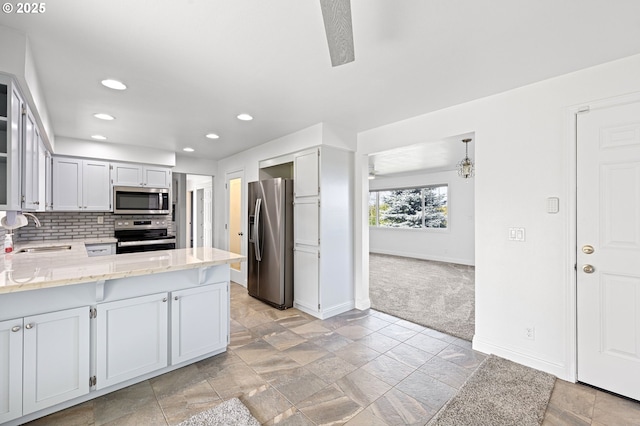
(140, 200)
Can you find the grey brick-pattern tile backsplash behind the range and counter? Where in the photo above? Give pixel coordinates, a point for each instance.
(74, 225)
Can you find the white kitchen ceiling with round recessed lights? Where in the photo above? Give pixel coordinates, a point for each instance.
(193, 65)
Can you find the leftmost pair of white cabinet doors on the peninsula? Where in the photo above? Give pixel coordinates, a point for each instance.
(45, 359)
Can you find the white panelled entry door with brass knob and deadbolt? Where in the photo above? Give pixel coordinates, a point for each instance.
(608, 221)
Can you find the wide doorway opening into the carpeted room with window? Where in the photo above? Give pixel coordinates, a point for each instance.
(422, 228)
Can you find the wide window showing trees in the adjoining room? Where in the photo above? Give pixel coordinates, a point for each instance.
(417, 208)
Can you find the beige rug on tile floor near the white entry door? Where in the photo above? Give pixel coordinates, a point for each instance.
(499, 393)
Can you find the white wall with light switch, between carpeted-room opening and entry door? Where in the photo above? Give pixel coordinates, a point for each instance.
(525, 152)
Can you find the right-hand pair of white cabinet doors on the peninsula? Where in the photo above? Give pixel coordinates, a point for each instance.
(135, 336)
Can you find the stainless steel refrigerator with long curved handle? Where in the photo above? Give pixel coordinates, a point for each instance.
(270, 254)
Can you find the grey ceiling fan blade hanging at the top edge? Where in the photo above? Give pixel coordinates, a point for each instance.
(337, 24)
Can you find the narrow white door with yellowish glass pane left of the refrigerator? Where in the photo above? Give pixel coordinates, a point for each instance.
(235, 223)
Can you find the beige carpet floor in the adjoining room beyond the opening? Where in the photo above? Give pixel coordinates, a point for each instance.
(437, 295)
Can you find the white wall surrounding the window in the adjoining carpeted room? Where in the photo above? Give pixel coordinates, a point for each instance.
(454, 244)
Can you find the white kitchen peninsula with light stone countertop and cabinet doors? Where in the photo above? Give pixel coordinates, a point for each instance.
(74, 327)
